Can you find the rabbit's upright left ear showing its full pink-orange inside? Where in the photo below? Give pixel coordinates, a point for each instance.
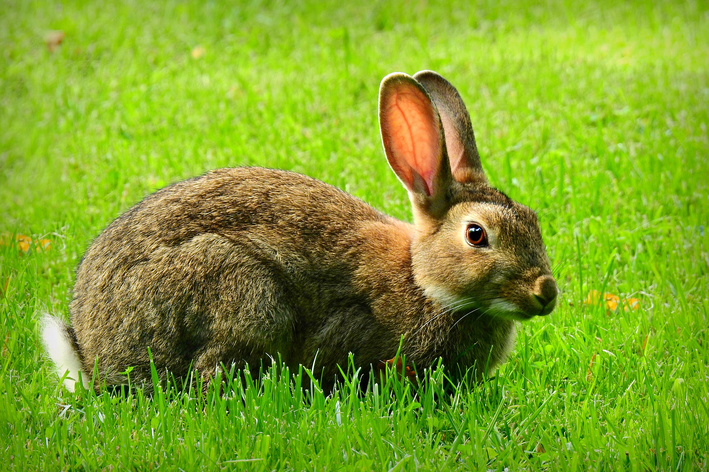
(413, 138)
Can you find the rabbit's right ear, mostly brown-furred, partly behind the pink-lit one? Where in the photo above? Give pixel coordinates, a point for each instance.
(460, 139)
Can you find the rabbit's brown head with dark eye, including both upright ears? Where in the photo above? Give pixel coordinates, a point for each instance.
(474, 247)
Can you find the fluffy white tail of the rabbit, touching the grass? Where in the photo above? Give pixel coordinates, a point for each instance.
(61, 351)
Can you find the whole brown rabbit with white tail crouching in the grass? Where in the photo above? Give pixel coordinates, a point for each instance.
(242, 264)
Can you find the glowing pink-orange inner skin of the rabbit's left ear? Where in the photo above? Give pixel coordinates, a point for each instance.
(413, 139)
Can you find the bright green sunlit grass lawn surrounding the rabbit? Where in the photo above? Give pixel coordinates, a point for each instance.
(594, 114)
